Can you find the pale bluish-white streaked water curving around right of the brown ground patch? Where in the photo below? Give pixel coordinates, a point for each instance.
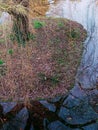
(84, 12)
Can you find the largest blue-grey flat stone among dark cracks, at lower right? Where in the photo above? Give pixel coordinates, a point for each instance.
(79, 114)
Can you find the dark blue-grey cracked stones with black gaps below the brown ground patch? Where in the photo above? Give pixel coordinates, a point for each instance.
(61, 113)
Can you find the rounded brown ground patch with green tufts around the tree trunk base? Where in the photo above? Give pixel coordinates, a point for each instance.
(46, 66)
